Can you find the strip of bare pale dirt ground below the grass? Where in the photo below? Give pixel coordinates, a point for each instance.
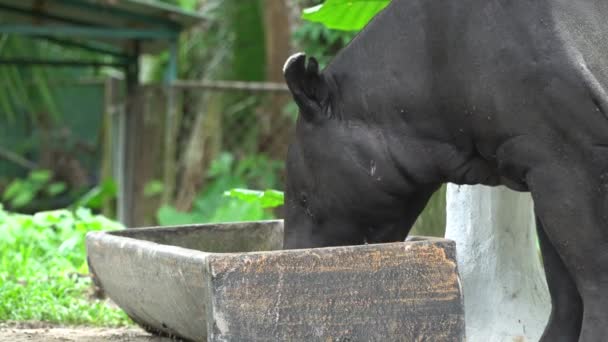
(39, 332)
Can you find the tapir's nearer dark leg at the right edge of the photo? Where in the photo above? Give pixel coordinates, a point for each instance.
(571, 203)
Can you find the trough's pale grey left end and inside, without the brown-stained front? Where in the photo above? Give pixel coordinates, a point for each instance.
(158, 275)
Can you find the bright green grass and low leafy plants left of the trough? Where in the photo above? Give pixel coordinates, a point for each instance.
(43, 270)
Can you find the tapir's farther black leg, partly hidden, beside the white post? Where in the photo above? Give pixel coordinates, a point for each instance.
(567, 307)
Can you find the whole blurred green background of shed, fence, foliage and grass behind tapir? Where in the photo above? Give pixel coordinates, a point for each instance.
(136, 113)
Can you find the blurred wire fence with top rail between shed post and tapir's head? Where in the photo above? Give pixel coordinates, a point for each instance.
(180, 130)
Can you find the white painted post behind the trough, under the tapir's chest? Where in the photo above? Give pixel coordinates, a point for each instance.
(505, 293)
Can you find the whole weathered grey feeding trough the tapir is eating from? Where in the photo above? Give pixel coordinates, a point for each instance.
(231, 282)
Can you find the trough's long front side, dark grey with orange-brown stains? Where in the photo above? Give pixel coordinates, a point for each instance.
(392, 292)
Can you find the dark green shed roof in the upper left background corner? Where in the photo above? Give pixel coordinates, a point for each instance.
(117, 23)
